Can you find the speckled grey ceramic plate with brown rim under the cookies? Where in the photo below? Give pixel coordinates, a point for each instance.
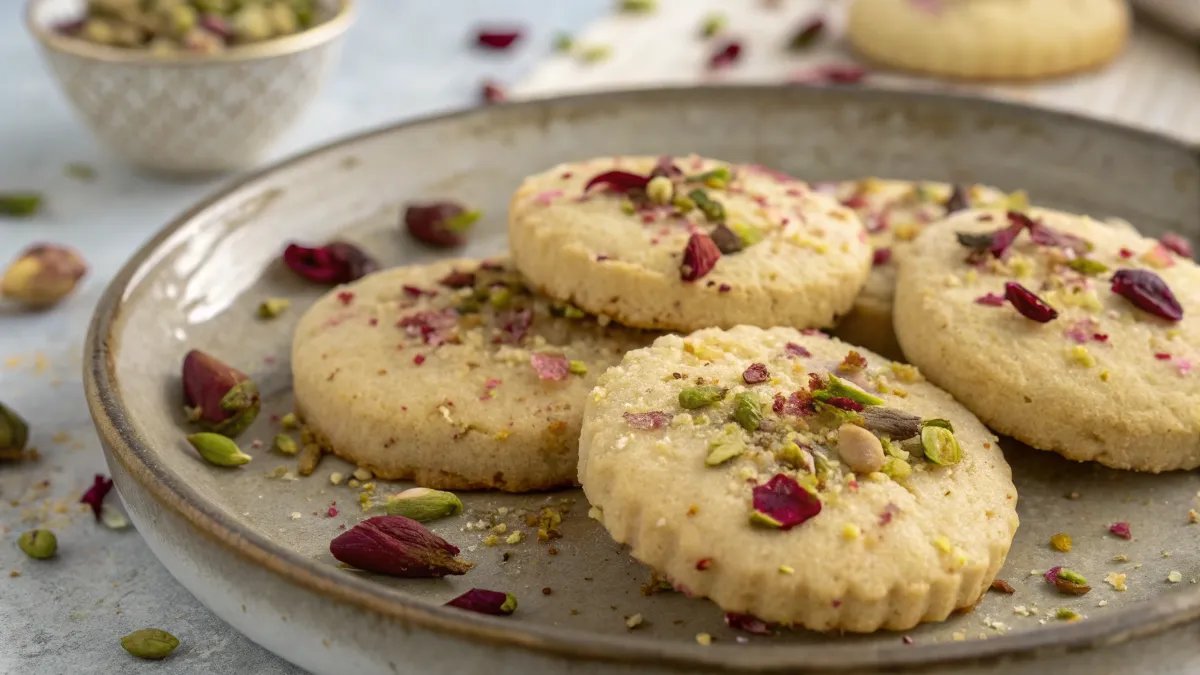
(255, 549)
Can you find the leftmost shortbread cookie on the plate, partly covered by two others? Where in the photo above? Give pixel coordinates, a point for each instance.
(454, 375)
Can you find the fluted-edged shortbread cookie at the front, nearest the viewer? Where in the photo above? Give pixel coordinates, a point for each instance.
(788, 476)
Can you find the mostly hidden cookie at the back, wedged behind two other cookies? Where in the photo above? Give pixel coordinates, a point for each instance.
(895, 212)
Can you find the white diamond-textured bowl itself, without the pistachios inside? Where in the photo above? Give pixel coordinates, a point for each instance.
(190, 114)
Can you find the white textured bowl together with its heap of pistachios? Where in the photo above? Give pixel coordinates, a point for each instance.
(190, 86)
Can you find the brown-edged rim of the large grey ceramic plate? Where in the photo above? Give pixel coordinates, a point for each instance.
(123, 445)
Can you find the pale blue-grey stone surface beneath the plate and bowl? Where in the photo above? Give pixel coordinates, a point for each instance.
(68, 616)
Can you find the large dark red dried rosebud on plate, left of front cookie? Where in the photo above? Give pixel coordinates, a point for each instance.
(398, 547)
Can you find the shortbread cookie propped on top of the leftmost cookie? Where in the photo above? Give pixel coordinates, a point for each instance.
(688, 243)
